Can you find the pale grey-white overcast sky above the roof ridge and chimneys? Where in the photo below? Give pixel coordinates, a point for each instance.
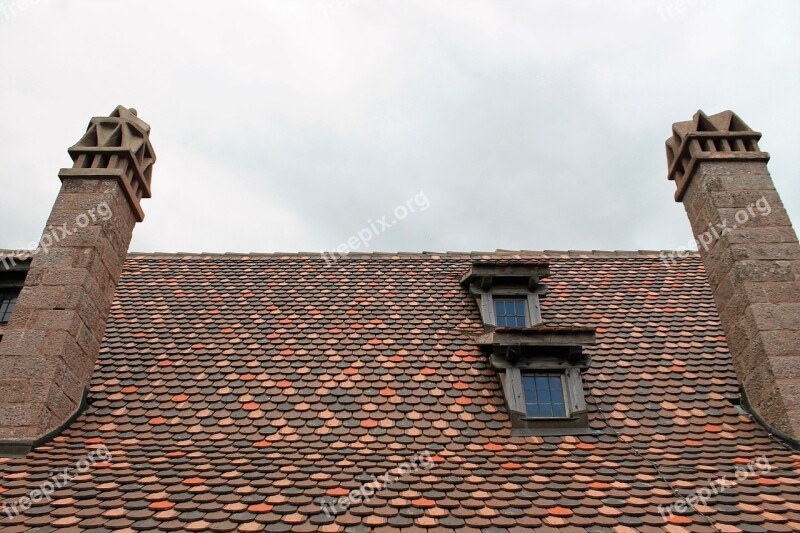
(289, 126)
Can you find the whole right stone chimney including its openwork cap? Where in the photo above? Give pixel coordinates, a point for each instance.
(751, 255)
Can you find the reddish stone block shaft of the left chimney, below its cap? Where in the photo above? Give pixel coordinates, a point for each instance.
(62, 309)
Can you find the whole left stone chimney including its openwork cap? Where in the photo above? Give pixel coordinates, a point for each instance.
(49, 349)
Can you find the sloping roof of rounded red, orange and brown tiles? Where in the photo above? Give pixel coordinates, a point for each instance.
(235, 391)
